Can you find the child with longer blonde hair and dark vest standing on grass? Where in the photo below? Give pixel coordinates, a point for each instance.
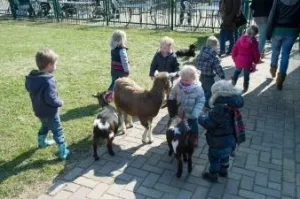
(119, 61)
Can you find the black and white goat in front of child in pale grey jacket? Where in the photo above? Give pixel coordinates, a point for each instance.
(179, 138)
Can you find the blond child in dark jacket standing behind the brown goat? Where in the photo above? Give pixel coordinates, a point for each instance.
(165, 60)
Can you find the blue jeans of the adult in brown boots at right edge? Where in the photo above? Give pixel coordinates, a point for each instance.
(283, 44)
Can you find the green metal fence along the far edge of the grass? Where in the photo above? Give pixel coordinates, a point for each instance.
(191, 15)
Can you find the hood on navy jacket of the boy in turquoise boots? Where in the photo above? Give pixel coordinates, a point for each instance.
(35, 80)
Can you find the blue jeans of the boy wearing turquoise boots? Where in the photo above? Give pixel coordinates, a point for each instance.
(53, 124)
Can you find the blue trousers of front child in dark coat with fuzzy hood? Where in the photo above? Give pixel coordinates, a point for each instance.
(218, 158)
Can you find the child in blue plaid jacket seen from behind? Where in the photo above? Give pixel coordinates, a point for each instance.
(208, 62)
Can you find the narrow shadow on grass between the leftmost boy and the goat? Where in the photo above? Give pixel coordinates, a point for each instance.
(80, 112)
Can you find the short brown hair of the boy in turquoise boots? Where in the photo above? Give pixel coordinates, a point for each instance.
(44, 57)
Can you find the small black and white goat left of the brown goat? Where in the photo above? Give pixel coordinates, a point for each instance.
(105, 126)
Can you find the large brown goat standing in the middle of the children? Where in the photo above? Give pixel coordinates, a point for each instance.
(133, 100)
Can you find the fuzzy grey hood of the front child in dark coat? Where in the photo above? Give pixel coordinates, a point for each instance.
(222, 92)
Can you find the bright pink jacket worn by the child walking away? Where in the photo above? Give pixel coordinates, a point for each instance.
(245, 52)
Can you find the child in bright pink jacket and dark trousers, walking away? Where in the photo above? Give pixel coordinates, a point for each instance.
(245, 55)
